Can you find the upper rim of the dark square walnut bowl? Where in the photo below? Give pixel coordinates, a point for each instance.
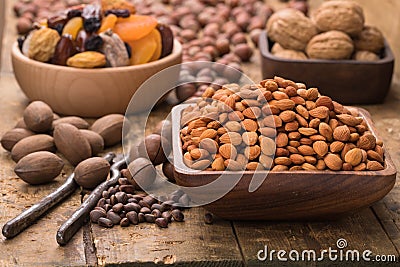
(264, 47)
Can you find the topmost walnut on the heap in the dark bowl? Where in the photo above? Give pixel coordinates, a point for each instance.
(346, 16)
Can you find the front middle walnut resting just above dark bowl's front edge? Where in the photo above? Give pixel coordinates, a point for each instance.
(330, 45)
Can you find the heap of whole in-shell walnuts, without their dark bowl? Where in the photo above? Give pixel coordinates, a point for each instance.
(336, 30)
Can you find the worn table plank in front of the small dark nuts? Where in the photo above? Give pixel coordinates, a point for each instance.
(191, 243)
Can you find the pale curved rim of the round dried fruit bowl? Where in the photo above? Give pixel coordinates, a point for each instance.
(176, 52)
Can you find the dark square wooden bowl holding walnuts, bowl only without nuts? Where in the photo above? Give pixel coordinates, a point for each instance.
(347, 81)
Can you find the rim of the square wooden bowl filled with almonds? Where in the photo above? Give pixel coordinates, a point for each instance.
(181, 168)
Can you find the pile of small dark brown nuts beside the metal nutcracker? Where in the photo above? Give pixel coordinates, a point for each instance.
(120, 205)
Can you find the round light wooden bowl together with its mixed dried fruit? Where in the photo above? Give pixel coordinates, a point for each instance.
(89, 60)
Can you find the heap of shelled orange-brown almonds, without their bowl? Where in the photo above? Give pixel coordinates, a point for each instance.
(279, 125)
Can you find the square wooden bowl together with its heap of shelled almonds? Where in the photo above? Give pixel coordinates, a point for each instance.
(291, 153)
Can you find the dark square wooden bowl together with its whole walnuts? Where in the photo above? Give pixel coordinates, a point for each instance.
(334, 50)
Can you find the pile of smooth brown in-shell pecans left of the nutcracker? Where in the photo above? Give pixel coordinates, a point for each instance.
(41, 133)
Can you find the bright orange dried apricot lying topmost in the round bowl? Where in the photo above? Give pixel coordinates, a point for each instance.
(135, 27)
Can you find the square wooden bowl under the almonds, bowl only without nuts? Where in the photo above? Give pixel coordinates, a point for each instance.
(288, 195)
